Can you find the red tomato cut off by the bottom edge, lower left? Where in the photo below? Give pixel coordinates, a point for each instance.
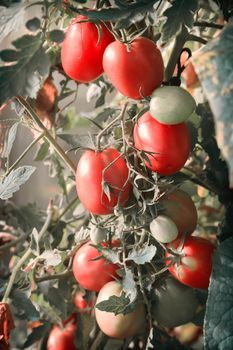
(62, 337)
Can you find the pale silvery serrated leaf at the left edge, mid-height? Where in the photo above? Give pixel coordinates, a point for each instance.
(14, 180)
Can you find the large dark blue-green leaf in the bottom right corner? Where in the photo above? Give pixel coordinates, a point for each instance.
(219, 310)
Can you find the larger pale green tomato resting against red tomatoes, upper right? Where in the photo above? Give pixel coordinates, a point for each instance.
(171, 105)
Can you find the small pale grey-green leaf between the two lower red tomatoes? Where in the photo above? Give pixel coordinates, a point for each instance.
(142, 255)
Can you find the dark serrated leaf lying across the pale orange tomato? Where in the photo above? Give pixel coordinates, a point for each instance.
(117, 305)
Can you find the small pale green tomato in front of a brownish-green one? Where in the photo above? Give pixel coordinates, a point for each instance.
(163, 229)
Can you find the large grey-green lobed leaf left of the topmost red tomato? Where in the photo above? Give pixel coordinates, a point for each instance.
(23, 77)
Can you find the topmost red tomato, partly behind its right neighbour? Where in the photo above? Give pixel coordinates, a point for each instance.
(82, 50)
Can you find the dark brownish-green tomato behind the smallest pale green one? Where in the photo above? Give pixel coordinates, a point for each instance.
(179, 206)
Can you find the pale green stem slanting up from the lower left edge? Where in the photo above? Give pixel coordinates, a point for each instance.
(25, 256)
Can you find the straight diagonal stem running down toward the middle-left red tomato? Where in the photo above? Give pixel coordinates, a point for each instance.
(47, 135)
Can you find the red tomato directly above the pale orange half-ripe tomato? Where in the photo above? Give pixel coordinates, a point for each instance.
(92, 274)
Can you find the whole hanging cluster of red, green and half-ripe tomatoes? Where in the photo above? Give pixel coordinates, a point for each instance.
(160, 143)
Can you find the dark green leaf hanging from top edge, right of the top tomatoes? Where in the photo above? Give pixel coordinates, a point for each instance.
(179, 13)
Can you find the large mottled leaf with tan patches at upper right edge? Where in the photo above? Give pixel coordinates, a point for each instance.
(214, 66)
